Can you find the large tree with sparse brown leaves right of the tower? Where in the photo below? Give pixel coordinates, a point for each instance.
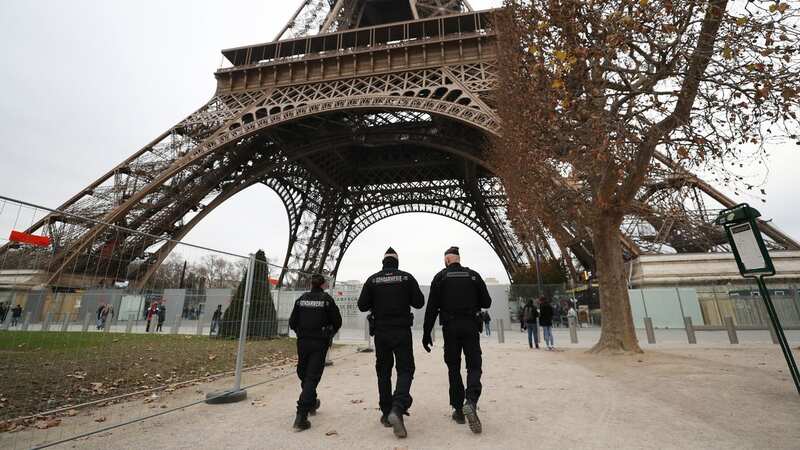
(598, 96)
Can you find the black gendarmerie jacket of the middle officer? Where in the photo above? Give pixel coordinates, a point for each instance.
(390, 294)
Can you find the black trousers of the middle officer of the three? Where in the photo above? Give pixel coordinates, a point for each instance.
(394, 345)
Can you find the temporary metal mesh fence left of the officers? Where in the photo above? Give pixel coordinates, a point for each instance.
(129, 320)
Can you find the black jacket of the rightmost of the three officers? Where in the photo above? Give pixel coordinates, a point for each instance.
(456, 292)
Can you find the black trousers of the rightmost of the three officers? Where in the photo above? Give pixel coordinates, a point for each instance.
(462, 335)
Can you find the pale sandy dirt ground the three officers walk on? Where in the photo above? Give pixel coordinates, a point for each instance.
(733, 398)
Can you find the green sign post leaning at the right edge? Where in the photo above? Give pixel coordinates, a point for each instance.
(752, 257)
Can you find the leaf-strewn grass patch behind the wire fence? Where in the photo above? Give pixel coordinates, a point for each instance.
(42, 371)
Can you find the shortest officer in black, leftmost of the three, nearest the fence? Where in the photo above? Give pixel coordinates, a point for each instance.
(315, 318)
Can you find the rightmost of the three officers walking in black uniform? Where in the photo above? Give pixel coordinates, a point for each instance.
(457, 295)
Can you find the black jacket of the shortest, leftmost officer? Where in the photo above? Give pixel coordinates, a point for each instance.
(315, 315)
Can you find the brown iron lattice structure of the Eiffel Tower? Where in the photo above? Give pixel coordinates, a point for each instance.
(386, 110)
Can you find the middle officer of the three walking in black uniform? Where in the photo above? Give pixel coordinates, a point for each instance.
(389, 295)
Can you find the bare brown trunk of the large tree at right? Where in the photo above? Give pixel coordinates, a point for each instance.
(617, 334)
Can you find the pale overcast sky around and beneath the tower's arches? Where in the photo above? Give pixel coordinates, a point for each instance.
(86, 83)
